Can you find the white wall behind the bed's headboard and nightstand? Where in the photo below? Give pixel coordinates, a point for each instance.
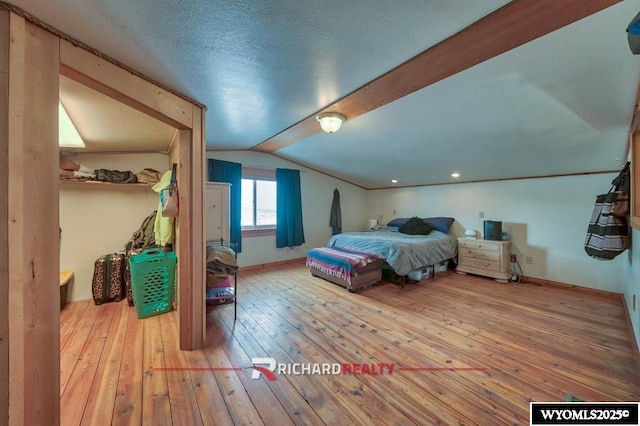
(545, 218)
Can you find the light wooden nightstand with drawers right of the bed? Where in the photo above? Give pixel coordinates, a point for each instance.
(484, 257)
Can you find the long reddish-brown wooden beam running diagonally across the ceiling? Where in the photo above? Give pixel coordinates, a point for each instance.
(513, 25)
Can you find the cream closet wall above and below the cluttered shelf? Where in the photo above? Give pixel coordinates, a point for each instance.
(98, 220)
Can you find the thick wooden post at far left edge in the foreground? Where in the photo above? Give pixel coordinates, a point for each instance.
(29, 293)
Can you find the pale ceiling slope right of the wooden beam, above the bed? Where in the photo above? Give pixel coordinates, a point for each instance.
(560, 104)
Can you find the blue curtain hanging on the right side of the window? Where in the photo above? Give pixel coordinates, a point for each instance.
(289, 231)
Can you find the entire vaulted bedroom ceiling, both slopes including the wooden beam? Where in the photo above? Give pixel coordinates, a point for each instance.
(532, 87)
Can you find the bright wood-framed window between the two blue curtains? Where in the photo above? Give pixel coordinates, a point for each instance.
(258, 208)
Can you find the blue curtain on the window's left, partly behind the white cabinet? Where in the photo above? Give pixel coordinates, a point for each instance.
(226, 171)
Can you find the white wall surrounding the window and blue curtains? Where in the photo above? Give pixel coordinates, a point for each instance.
(317, 195)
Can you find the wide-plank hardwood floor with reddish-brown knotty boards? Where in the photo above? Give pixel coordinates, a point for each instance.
(463, 350)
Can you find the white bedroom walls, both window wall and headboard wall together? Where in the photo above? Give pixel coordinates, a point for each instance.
(545, 218)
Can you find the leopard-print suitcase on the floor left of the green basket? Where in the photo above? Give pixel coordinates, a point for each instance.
(108, 279)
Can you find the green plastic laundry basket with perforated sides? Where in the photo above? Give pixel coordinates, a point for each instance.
(153, 281)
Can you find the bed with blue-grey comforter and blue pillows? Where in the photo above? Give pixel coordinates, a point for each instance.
(404, 253)
